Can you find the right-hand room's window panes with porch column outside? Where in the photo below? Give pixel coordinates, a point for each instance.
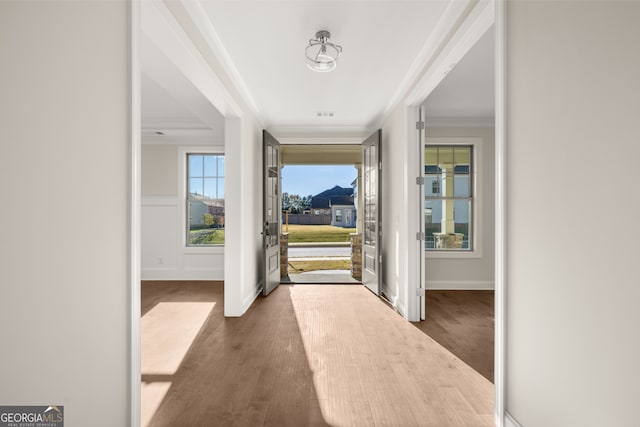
(449, 198)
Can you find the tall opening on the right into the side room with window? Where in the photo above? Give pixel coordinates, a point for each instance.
(457, 208)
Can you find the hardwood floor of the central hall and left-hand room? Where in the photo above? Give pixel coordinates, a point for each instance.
(326, 355)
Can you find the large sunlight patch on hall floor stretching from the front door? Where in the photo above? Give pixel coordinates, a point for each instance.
(378, 361)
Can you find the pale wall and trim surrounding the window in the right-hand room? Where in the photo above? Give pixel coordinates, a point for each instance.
(470, 273)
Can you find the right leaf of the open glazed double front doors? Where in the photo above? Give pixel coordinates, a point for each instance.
(372, 218)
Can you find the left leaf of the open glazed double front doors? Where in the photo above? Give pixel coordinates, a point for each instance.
(271, 213)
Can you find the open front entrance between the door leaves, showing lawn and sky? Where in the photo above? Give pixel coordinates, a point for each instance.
(321, 224)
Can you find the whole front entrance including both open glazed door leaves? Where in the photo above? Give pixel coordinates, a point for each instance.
(331, 236)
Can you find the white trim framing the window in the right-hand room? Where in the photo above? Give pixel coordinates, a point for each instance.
(477, 235)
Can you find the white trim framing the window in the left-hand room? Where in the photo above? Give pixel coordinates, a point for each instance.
(182, 197)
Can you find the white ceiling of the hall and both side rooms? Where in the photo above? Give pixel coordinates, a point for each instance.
(264, 41)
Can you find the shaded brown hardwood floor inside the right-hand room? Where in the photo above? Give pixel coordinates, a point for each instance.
(463, 322)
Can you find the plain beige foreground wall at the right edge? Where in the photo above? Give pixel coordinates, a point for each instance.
(572, 233)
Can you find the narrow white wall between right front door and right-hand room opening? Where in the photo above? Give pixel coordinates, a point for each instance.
(394, 212)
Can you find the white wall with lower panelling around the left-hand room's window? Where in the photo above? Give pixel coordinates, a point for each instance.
(164, 255)
